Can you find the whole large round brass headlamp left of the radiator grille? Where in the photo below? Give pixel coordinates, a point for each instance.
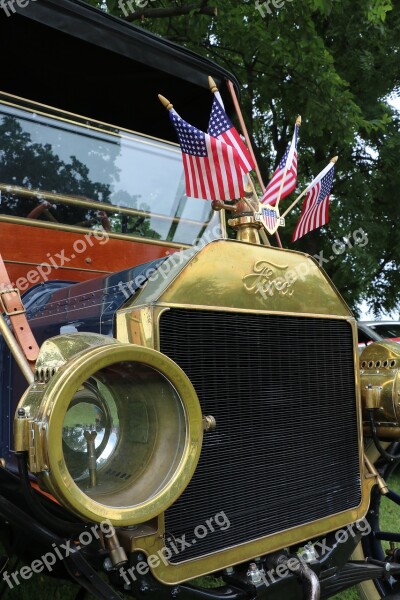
(113, 430)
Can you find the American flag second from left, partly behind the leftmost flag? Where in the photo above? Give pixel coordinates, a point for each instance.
(221, 127)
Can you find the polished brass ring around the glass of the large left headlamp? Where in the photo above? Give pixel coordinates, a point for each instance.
(54, 406)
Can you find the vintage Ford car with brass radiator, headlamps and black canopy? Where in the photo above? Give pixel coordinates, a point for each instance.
(198, 423)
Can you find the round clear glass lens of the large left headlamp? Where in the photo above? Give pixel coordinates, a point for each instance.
(125, 420)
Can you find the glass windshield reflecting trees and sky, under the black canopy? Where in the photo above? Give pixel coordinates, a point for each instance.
(61, 168)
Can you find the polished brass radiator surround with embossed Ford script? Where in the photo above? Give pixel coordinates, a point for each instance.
(247, 279)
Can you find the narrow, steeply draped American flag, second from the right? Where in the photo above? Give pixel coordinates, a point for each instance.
(271, 194)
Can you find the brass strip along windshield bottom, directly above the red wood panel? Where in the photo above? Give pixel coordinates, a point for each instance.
(85, 231)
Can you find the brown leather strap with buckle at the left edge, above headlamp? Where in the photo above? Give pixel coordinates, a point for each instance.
(11, 305)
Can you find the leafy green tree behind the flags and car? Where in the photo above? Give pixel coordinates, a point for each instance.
(336, 63)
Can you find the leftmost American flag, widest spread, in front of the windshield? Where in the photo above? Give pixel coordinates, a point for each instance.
(212, 168)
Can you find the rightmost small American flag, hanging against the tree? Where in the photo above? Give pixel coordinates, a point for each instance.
(314, 212)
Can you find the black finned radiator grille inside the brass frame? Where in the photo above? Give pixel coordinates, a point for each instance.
(285, 451)
